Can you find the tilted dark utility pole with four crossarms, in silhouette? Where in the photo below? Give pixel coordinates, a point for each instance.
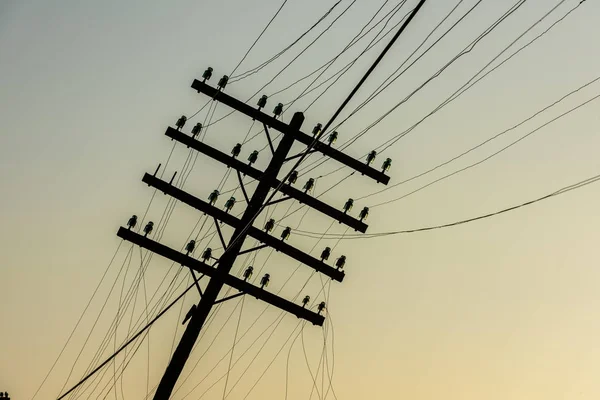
(268, 180)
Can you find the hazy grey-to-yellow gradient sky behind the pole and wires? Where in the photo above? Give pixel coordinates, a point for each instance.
(504, 307)
